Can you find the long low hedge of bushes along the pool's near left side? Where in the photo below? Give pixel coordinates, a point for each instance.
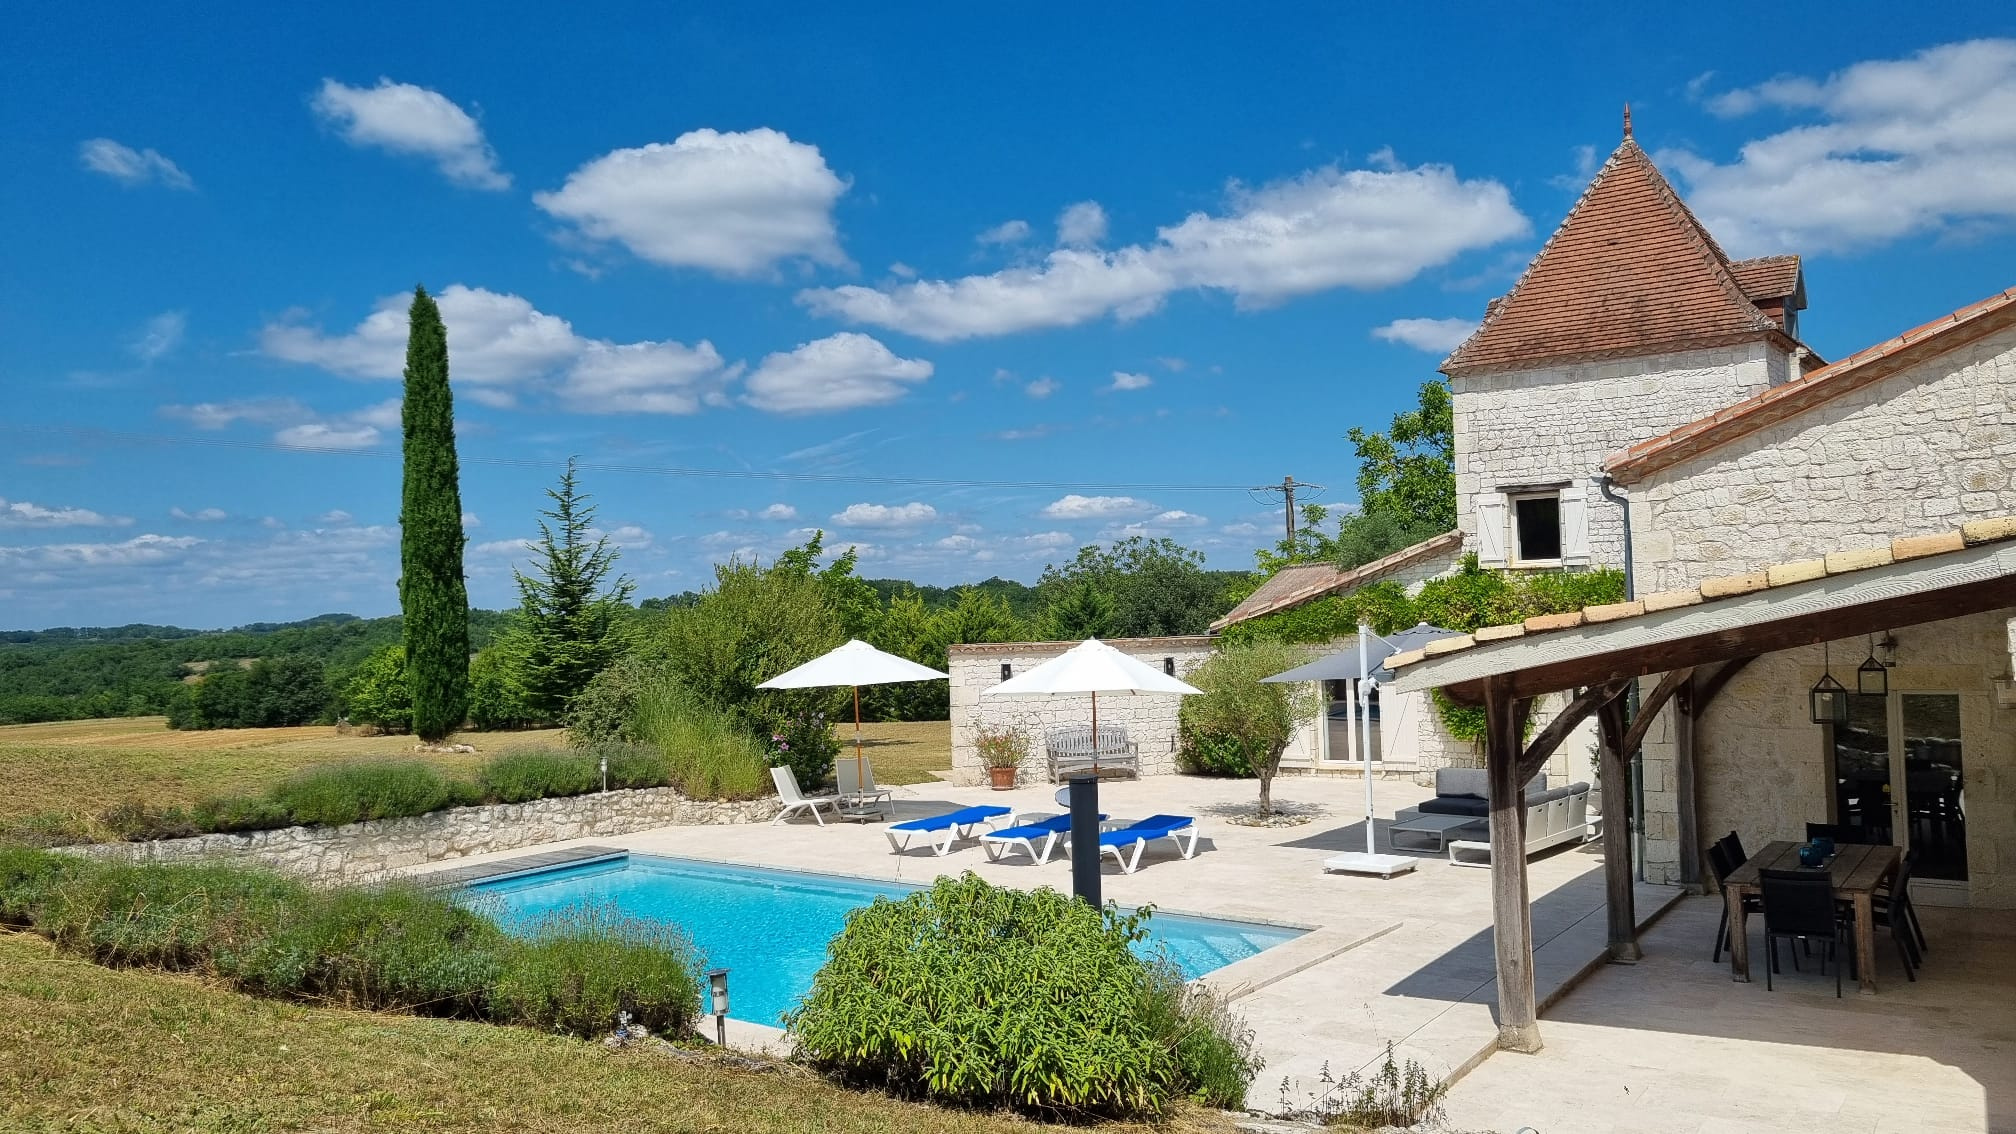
(392, 947)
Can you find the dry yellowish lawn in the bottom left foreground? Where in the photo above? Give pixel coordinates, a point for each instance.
(88, 1048)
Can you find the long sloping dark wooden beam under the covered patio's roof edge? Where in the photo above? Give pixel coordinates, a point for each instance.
(1799, 629)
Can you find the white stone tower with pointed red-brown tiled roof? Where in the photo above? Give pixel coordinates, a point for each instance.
(1630, 324)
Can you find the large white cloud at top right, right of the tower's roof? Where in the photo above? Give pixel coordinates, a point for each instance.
(1896, 148)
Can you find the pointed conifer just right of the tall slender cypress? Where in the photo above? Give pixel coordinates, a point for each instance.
(570, 627)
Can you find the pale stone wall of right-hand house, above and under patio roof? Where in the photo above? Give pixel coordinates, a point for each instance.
(1914, 453)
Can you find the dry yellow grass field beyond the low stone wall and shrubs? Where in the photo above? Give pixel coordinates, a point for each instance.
(82, 768)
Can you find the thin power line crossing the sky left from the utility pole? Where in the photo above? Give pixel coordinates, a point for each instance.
(118, 437)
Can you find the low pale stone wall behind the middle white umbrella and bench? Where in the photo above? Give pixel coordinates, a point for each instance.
(1150, 721)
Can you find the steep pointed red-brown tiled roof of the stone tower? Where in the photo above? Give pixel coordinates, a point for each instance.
(1628, 273)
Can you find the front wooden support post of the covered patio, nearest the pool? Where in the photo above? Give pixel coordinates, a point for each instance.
(1519, 1020)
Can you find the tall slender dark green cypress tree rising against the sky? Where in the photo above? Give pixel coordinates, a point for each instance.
(432, 592)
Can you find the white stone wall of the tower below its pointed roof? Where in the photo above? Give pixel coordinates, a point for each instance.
(1559, 425)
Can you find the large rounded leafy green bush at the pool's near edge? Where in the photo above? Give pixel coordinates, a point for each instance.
(983, 996)
